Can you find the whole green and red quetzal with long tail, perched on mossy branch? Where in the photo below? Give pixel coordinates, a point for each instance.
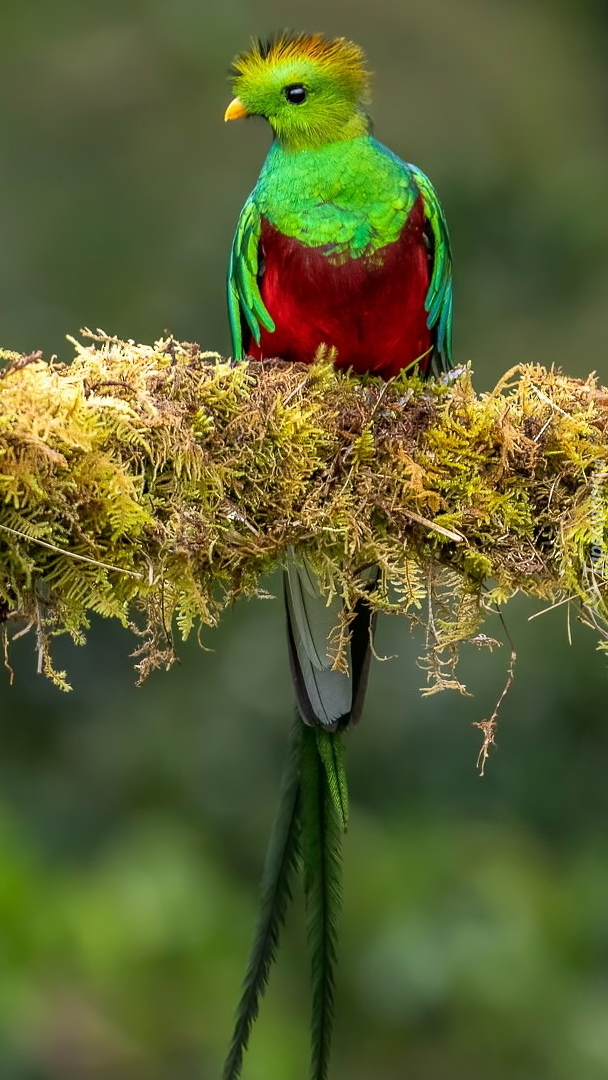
(344, 246)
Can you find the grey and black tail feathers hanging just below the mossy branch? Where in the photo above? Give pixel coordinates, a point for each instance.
(327, 698)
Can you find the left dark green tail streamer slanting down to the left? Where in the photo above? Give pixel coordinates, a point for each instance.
(282, 860)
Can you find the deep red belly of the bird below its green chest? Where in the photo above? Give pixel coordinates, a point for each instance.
(371, 309)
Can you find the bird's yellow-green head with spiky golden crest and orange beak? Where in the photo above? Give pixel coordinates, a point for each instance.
(312, 90)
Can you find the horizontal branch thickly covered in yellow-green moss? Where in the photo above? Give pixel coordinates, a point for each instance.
(157, 484)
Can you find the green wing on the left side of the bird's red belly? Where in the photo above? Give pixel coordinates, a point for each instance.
(245, 300)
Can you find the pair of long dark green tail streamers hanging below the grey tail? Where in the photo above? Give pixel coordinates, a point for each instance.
(307, 835)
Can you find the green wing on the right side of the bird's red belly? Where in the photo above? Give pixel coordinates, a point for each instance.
(439, 298)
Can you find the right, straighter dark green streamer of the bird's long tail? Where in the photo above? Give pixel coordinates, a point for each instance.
(323, 816)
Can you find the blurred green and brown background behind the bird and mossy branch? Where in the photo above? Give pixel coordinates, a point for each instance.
(133, 822)
